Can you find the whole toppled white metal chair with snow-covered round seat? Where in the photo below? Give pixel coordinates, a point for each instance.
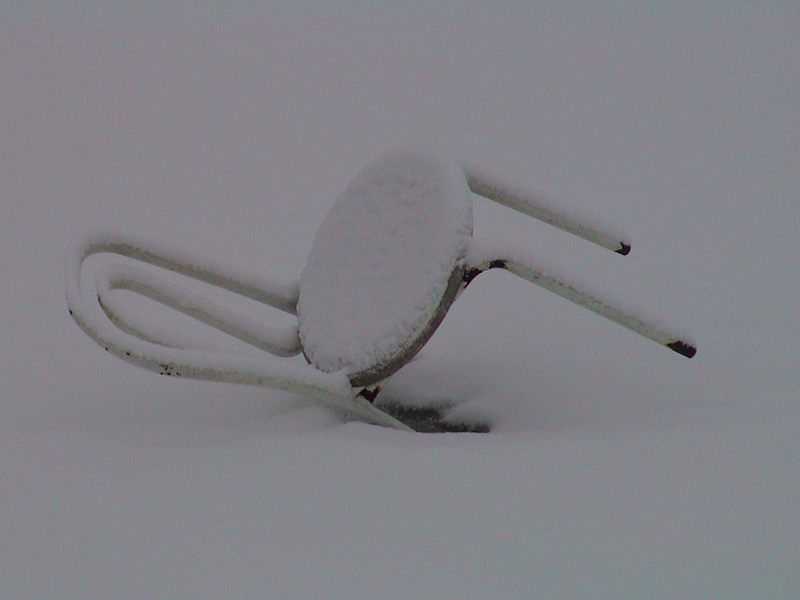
(389, 259)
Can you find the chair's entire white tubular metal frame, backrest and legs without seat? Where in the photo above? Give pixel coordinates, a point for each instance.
(106, 323)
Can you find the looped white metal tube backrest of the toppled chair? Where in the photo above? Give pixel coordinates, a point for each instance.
(145, 350)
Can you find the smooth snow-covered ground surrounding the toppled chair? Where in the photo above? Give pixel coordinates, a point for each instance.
(615, 468)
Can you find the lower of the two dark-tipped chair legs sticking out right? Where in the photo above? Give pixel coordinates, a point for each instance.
(484, 255)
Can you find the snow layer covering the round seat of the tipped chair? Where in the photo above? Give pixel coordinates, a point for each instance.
(381, 259)
